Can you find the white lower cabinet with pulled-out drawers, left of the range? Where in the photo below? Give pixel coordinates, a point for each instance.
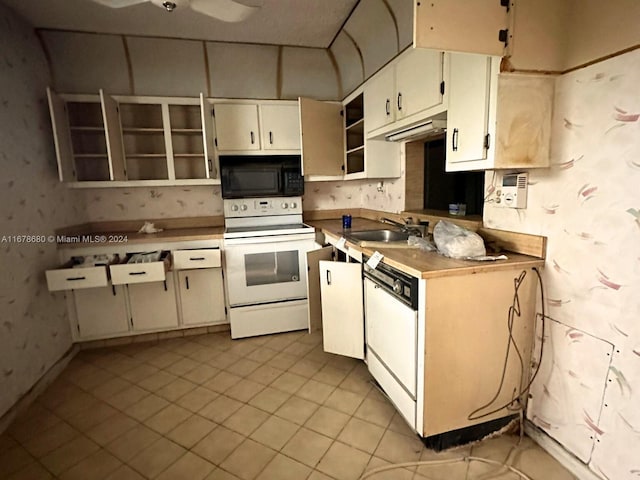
(115, 298)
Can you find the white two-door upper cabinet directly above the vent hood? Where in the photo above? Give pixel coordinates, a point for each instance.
(405, 92)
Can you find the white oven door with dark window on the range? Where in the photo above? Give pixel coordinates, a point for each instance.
(267, 269)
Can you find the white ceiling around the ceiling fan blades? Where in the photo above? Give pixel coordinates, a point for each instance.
(309, 23)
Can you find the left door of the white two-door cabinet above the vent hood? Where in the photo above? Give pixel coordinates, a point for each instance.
(379, 98)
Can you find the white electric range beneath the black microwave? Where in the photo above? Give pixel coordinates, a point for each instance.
(266, 243)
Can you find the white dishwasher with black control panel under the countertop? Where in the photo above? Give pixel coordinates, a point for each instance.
(391, 320)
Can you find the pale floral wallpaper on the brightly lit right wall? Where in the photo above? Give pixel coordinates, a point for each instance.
(587, 394)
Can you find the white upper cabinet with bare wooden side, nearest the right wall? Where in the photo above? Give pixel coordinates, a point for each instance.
(496, 120)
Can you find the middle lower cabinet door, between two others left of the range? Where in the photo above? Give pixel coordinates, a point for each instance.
(153, 305)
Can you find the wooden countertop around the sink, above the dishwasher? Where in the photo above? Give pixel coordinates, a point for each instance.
(425, 264)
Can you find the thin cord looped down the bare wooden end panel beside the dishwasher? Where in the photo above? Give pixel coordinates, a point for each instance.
(515, 310)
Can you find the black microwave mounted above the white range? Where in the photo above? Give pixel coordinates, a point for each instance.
(246, 176)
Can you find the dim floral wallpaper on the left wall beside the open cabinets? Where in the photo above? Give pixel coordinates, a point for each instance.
(34, 330)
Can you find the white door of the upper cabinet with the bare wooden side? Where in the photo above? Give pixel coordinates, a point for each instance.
(468, 113)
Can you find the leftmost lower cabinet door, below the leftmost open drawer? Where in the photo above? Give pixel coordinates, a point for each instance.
(101, 312)
